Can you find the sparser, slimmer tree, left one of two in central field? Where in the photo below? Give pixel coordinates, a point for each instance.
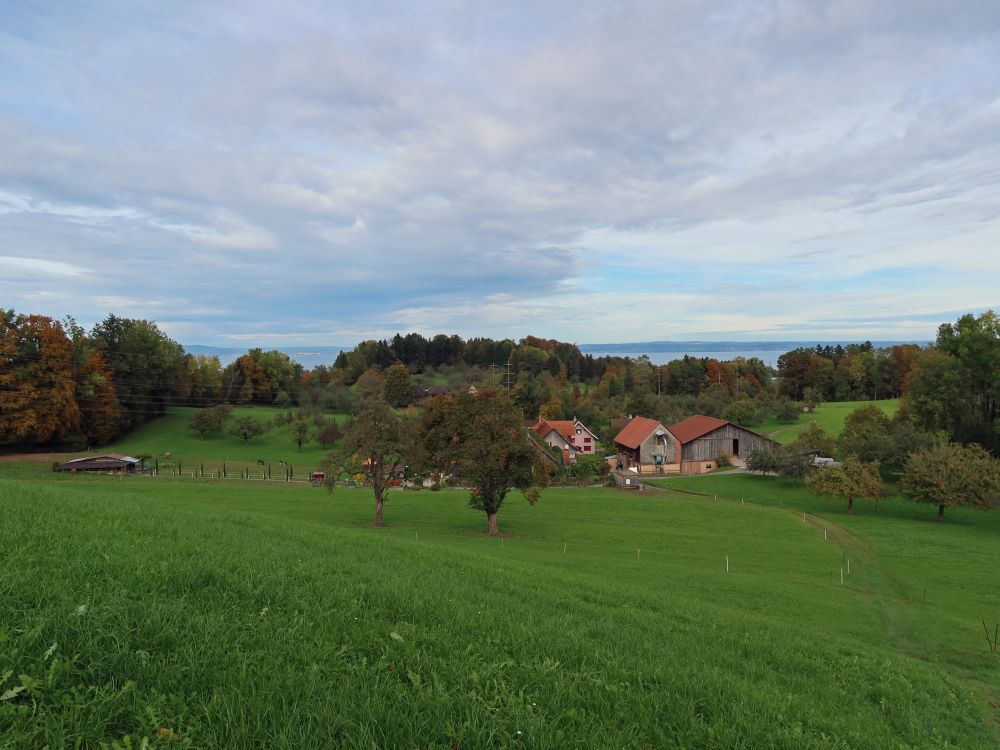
(373, 443)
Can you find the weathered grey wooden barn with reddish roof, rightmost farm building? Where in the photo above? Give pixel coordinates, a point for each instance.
(701, 440)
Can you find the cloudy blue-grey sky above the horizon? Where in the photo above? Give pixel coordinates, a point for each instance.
(265, 174)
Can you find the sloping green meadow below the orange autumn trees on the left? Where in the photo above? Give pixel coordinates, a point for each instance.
(171, 434)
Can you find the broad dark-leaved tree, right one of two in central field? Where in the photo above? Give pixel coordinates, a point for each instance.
(481, 434)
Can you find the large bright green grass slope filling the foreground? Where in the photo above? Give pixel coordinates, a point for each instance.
(249, 615)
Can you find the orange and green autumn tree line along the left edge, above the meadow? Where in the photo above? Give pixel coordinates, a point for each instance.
(61, 385)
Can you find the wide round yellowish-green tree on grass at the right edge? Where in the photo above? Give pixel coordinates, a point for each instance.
(952, 475)
